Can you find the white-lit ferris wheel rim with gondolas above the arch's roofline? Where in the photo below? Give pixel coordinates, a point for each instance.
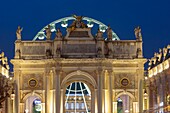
(64, 24)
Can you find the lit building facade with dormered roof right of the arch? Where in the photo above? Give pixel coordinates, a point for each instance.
(158, 82)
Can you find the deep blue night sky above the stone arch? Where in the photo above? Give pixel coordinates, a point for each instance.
(122, 15)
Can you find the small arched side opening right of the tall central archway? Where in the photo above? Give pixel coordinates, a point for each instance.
(124, 104)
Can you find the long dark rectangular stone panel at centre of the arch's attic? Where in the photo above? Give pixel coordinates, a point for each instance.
(79, 48)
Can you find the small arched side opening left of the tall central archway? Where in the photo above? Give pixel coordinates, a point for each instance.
(33, 105)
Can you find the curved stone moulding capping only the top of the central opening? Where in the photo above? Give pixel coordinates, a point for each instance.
(75, 76)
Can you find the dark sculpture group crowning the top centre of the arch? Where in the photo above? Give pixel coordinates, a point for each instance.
(78, 23)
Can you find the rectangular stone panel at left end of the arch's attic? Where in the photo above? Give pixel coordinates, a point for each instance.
(33, 50)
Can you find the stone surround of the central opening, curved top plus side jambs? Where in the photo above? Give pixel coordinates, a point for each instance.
(81, 76)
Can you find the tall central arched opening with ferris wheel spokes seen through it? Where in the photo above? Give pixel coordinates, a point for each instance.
(78, 98)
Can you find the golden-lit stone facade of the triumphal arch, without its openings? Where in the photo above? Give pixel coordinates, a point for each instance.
(107, 66)
